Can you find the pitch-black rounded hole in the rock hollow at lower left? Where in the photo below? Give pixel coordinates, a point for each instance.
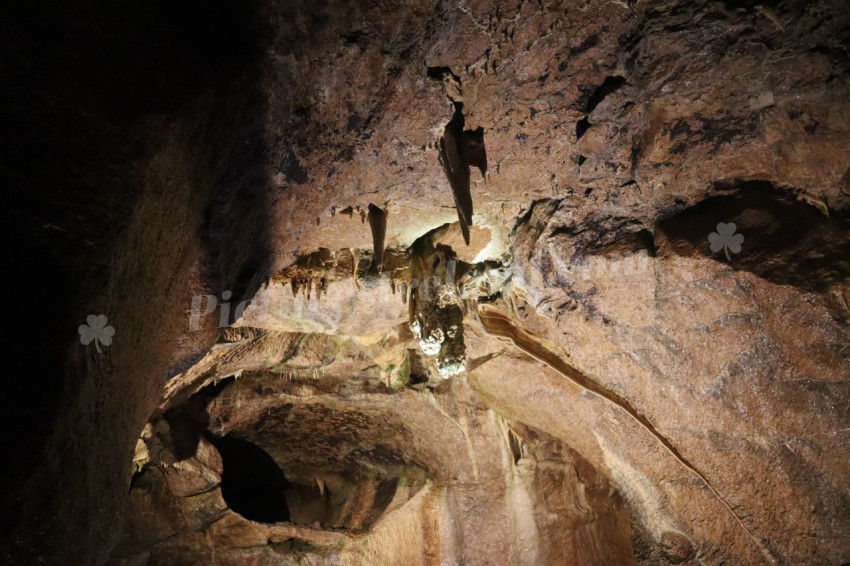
(252, 484)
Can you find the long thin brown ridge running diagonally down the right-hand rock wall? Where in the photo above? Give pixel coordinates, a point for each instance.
(499, 325)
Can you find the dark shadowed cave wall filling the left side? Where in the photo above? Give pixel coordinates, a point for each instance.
(120, 124)
